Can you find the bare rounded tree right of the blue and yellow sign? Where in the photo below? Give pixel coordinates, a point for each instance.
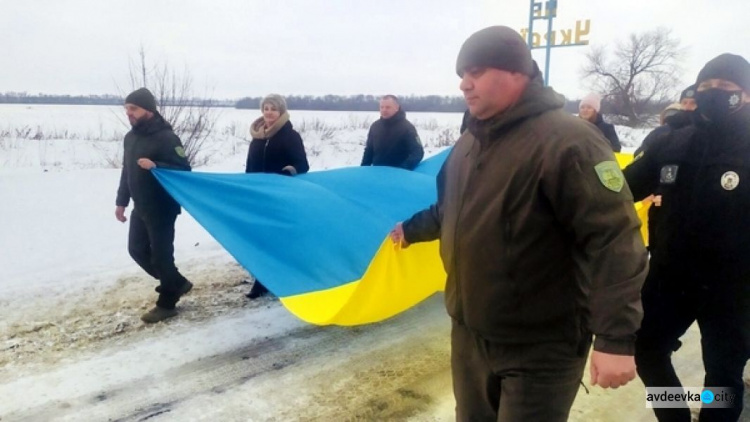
(643, 70)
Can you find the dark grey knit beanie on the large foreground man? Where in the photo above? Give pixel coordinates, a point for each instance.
(497, 47)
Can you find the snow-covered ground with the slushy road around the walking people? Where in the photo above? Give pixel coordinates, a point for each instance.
(72, 346)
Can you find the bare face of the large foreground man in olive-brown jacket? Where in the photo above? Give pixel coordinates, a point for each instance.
(489, 91)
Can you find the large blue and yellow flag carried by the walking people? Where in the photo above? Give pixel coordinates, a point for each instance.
(319, 241)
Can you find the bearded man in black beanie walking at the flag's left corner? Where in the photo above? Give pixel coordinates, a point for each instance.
(151, 143)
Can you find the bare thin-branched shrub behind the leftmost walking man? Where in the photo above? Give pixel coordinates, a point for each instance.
(192, 118)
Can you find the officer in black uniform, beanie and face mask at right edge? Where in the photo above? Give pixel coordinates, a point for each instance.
(700, 267)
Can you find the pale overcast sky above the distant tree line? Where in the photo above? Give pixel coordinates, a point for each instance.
(237, 48)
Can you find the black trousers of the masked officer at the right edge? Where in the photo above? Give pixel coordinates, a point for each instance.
(670, 307)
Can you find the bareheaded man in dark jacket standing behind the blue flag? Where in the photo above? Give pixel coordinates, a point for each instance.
(392, 140)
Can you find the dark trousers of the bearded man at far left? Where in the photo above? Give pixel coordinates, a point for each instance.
(151, 245)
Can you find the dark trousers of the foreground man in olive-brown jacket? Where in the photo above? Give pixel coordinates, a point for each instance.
(514, 382)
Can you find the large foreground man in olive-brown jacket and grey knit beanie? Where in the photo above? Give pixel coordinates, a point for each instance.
(540, 241)
